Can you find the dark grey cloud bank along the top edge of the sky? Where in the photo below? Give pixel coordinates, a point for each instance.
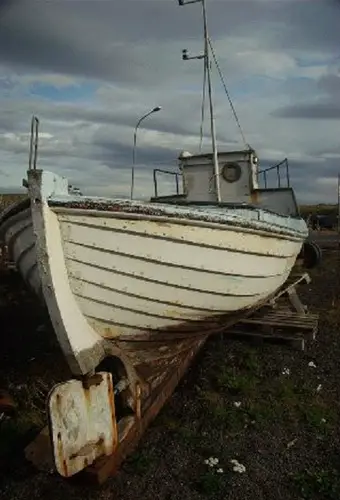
(78, 38)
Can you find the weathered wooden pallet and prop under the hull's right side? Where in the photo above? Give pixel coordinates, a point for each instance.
(283, 319)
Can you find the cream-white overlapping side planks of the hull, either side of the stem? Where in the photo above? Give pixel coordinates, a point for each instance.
(130, 277)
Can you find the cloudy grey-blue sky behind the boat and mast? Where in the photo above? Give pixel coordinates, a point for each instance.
(89, 69)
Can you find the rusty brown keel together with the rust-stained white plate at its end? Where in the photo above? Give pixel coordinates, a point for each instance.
(87, 433)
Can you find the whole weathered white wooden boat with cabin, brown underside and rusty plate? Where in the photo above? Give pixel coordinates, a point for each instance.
(139, 286)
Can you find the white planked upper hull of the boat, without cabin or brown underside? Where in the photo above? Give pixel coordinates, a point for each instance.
(113, 272)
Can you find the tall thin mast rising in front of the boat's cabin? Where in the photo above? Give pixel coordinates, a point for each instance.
(206, 58)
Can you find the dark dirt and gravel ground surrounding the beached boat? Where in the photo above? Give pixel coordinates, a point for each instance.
(272, 409)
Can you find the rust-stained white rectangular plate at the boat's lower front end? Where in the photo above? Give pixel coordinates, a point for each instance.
(82, 422)
